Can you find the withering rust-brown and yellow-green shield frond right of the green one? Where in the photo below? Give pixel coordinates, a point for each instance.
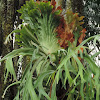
(68, 27)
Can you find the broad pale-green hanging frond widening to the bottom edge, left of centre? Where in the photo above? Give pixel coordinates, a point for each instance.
(27, 89)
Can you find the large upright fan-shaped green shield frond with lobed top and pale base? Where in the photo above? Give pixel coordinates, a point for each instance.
(42, 21)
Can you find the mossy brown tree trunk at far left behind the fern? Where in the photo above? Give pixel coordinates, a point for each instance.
(7, 25)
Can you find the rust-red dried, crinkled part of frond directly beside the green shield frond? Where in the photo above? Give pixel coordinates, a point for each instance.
(65, 34)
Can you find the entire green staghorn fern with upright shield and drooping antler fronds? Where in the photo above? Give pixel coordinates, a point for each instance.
(49, 63)
